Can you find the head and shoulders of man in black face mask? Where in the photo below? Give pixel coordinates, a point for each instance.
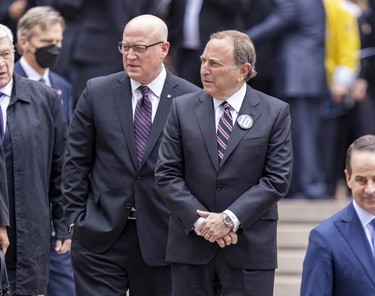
(40, 34)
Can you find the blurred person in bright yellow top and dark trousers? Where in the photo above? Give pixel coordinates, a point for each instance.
(342, 65)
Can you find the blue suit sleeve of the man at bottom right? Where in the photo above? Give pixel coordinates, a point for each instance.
(317, 275)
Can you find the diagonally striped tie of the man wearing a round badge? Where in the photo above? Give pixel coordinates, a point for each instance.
(223, 130)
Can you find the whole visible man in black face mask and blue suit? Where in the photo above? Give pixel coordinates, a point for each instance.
(40, 34)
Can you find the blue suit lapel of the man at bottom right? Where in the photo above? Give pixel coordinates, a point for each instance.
(351, 229)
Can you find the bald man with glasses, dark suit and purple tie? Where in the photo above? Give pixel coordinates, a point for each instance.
(118, 221)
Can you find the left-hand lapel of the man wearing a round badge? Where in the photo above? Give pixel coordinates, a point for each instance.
(205, 116)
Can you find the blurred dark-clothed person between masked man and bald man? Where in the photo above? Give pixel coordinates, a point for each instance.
(93, 49)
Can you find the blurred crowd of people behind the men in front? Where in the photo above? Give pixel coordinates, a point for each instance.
(325, 74)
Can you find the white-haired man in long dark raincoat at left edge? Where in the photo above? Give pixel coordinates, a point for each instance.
(33, 143)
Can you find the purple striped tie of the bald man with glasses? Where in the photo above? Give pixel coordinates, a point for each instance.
(142, 122)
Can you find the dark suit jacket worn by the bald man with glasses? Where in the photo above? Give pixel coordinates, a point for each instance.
(102, 178)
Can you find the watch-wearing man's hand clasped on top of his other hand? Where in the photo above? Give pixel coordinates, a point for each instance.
(213, 227)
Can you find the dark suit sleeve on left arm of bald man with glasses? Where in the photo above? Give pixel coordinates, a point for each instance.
(78, 159)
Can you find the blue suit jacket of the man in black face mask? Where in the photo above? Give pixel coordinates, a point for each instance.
(63, 88)
